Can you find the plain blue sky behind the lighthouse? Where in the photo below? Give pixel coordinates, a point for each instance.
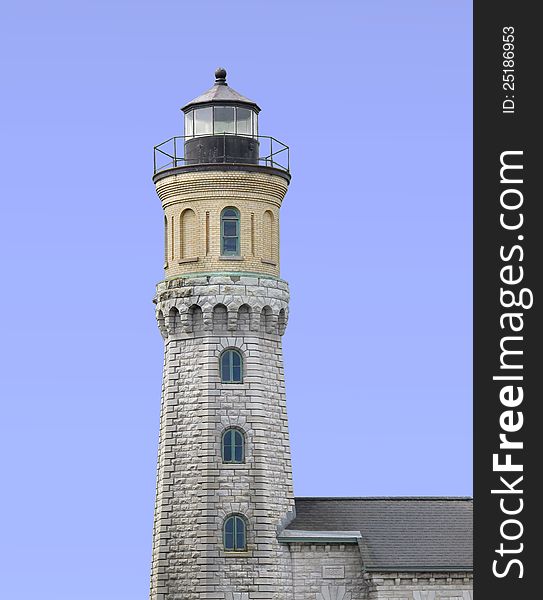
(374, 98)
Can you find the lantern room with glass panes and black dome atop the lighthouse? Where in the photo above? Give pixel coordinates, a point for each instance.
(221, 125)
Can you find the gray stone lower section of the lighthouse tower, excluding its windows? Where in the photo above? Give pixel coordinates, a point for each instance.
(199, 318)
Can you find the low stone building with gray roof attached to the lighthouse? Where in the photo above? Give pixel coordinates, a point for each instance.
(381, 548)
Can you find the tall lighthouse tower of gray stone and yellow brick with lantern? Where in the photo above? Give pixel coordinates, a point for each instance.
(224, 484)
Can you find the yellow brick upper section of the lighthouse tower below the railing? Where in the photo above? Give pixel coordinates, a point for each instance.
(193, 202)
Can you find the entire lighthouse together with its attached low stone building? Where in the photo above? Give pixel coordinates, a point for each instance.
(227, 526)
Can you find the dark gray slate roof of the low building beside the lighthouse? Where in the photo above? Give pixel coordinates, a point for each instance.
(411, 533)
